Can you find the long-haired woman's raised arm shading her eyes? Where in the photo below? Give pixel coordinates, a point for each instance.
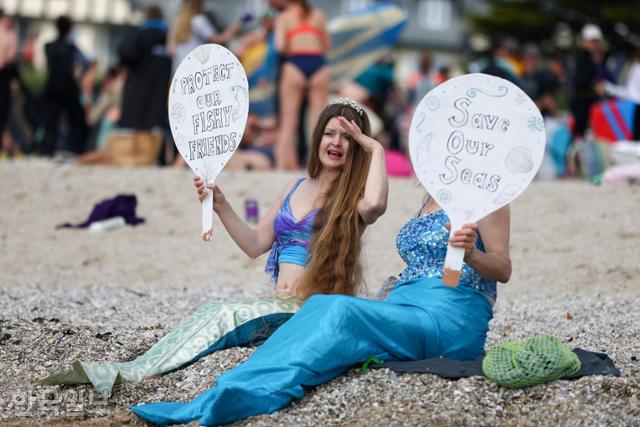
(374, 201)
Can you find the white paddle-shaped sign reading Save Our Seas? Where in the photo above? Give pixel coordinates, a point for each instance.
(476, 142)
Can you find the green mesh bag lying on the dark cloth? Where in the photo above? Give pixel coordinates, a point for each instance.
(533, 361)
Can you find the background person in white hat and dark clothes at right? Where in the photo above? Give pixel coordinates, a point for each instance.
(585, 85)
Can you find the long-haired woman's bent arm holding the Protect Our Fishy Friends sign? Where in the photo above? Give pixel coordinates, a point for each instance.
(253, 242)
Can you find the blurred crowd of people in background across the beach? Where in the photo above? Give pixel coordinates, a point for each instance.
(80, 111)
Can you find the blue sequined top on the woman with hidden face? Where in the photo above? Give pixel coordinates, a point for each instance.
(422, 244)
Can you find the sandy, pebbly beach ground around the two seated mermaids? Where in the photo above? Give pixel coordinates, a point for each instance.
(67, 294)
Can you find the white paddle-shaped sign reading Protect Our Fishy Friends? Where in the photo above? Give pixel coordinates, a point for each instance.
(208, 108)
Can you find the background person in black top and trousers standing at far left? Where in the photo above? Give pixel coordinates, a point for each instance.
(61, 91)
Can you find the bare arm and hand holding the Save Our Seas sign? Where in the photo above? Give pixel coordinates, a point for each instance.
(494, 263)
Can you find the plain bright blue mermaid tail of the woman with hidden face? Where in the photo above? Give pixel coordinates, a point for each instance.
(421, 318)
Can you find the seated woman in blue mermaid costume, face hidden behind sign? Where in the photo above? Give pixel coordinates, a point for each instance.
(421, 318)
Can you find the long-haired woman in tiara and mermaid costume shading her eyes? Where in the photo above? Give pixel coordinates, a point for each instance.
(313, 230)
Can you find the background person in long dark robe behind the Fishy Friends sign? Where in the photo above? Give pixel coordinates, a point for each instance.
(146, 90)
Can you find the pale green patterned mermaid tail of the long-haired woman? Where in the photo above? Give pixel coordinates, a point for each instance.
(214, 326)
